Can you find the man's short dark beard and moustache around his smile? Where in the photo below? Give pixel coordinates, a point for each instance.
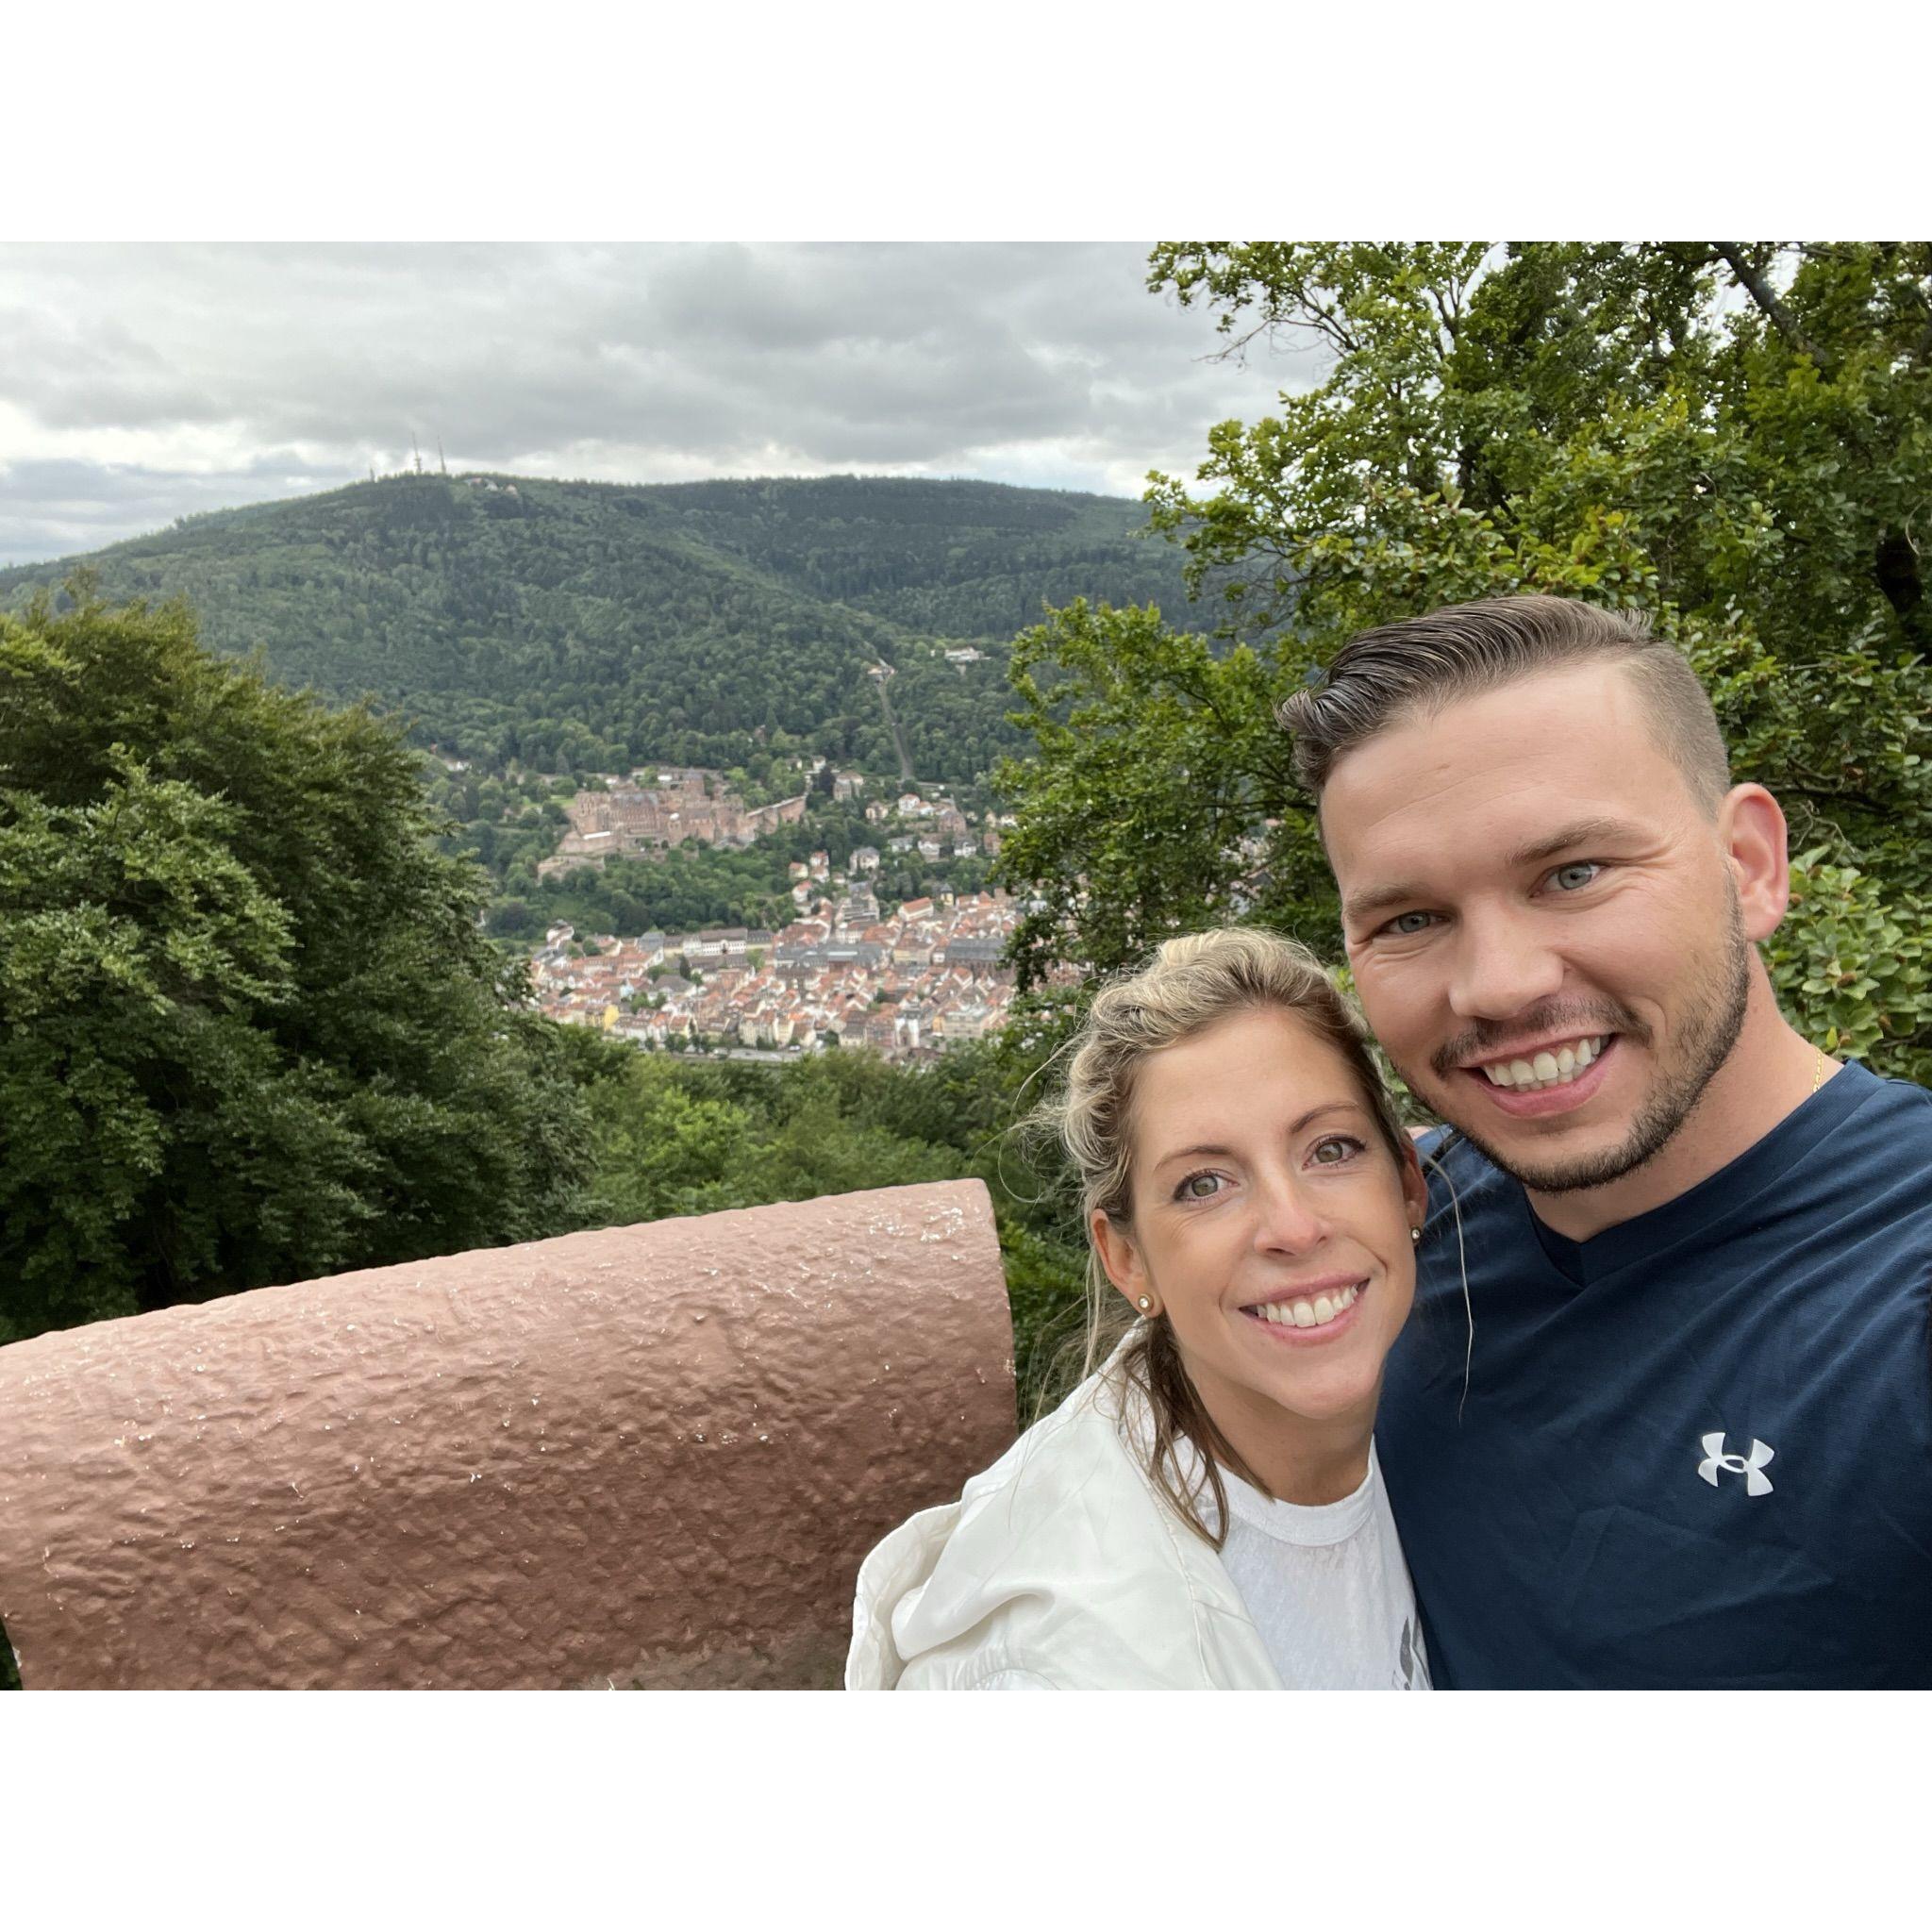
(1713, 1019)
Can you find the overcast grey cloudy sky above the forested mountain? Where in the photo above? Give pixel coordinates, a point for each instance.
(146, 382)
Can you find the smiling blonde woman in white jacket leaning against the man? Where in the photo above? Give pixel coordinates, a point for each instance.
(1205, 1512)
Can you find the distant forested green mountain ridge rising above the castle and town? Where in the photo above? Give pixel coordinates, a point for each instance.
(588, 625)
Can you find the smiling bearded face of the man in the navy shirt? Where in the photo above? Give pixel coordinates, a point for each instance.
(1543, 923)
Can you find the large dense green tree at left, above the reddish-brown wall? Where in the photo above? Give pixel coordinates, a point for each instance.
(250, 1029)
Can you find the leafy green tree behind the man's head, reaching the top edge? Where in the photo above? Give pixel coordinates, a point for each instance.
(1734, 440)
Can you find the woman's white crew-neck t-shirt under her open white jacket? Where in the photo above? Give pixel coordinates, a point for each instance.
(1328, 1587)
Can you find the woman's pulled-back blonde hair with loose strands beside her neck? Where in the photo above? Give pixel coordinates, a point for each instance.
(1187, 986)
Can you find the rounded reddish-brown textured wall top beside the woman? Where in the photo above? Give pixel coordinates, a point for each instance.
(648, 1456)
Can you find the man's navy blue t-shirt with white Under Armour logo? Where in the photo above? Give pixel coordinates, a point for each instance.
(1695, 1450)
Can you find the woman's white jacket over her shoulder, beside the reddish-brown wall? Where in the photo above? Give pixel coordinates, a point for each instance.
(1058, 1570)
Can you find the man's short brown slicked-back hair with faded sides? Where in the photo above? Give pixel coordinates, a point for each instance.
(1406, 671)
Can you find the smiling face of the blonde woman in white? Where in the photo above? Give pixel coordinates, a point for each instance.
(1268, 1220)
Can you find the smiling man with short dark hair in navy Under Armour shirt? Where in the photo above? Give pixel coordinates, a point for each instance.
(1682, 1431)
